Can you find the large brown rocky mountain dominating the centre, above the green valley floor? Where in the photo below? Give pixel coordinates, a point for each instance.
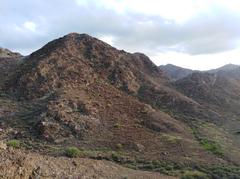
(91, 93)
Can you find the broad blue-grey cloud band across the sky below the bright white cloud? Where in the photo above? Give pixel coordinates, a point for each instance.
(212, 33)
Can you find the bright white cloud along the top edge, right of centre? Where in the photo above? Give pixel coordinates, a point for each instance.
(179, 11)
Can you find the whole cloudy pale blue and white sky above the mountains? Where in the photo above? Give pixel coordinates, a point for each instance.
(196, 34)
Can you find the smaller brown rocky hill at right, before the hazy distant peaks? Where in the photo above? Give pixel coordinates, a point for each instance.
(219, 90)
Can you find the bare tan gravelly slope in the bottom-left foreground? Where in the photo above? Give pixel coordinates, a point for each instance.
(18, 165)
